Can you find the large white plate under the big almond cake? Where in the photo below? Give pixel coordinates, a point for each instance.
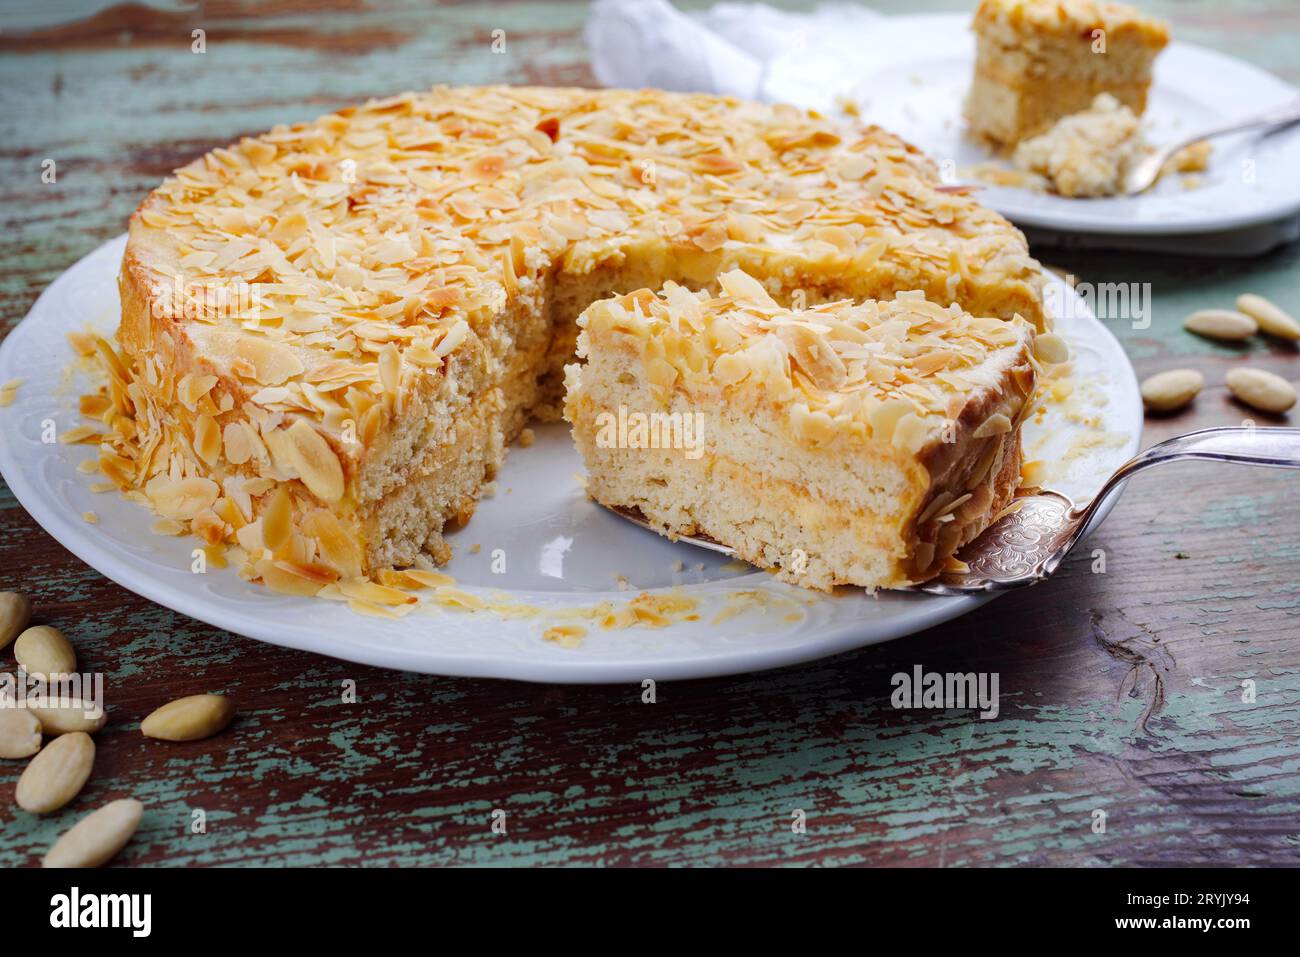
(543, 543)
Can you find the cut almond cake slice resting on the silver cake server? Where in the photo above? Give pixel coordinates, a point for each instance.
(855, 444)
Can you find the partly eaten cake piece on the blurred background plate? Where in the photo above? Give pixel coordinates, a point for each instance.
(1041, 60)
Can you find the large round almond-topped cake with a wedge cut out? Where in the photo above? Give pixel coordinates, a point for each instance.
(332, 332)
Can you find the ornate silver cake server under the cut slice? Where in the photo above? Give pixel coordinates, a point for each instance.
(1033, 538)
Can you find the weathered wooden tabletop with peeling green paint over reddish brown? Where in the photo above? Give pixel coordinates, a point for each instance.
(1121, 691)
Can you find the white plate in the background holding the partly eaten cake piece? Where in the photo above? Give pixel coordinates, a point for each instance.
(916, 75)
